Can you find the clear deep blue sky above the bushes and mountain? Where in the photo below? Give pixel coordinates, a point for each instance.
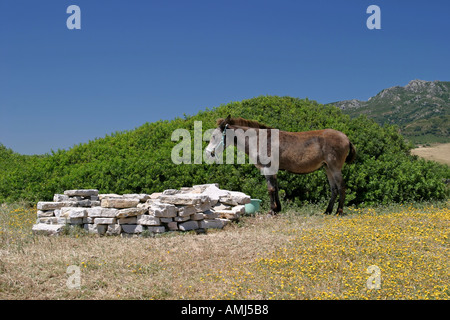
(136, 61)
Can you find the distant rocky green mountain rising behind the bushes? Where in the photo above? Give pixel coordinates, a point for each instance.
(421, 109)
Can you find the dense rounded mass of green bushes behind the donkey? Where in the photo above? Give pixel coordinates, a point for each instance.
(139, 161)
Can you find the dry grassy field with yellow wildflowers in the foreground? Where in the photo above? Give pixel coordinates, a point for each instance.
(299, 255)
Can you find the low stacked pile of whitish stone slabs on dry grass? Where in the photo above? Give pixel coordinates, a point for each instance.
(196, 208)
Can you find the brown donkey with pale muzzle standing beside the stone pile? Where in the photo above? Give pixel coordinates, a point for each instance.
(298, 152)
